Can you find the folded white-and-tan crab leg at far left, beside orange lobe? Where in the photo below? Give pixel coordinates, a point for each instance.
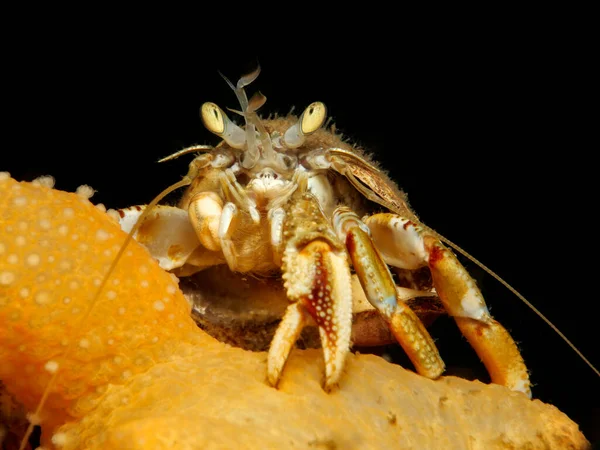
(167, 233)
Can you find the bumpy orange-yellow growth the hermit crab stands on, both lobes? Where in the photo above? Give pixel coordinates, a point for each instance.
(135, 372)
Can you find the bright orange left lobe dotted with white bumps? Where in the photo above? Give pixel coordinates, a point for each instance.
(50, 271)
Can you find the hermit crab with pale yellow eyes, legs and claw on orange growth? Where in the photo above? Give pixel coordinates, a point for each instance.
(287, 198)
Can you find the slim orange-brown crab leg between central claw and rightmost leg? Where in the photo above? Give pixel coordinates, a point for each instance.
(380, 289)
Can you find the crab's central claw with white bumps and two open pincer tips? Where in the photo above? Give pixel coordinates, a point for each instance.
(317, 279)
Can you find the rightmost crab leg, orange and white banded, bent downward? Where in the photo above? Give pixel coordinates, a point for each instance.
(406, 245)
